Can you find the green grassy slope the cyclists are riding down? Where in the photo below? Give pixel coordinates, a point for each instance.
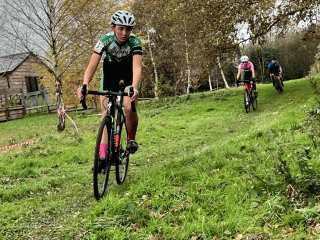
(205, 170)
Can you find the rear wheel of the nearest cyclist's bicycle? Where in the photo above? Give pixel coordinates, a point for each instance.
(123, 155)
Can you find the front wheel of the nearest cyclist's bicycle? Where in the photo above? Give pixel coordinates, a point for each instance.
(101, 168)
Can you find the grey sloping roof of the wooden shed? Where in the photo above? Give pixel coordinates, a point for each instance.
(11, 62)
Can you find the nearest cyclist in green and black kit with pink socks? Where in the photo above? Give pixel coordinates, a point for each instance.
(123, 61)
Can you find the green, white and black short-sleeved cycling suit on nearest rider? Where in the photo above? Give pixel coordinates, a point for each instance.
(117, 64)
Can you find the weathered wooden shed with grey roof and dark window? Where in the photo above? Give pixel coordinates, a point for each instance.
(18, 81)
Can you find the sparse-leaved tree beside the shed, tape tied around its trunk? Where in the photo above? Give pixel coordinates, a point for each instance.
(48, 29)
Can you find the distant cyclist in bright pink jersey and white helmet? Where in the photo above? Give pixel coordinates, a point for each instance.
(248, 74)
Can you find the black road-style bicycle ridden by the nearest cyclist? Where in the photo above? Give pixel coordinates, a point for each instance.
(114, 124)
